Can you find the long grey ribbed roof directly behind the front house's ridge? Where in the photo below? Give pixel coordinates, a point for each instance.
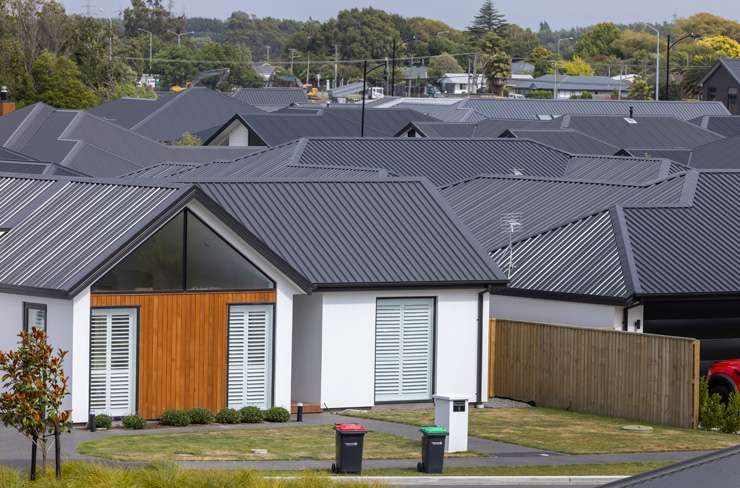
(442, 161)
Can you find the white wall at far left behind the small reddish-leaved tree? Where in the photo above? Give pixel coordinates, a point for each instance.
(58, 325)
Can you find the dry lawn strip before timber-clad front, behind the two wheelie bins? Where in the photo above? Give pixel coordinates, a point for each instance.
(287, 443)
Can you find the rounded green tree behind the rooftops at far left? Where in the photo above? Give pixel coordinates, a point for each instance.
(57, 82)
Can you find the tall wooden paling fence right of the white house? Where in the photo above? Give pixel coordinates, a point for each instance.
(649, 378)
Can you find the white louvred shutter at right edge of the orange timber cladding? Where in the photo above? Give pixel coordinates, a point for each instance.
(250, 356)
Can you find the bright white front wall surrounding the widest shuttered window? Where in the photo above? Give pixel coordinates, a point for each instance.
(348, 344)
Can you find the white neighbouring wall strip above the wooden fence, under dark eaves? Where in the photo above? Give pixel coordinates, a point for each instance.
(556, 312)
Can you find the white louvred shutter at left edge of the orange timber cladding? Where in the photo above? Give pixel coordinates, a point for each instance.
(112, 361)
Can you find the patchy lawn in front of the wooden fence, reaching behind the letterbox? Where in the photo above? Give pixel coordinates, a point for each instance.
(566, 432)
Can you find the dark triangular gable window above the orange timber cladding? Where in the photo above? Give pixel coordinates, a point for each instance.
(185, 254)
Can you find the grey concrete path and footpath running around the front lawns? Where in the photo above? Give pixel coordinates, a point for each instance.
(15, 449)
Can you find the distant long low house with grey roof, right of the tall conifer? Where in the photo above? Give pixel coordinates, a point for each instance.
(601, 87)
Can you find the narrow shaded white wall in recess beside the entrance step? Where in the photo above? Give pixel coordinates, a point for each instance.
(306, 382)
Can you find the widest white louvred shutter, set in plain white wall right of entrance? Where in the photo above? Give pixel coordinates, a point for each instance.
(404, 346)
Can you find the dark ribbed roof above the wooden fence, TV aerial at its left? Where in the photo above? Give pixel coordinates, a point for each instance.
(684, 248)
